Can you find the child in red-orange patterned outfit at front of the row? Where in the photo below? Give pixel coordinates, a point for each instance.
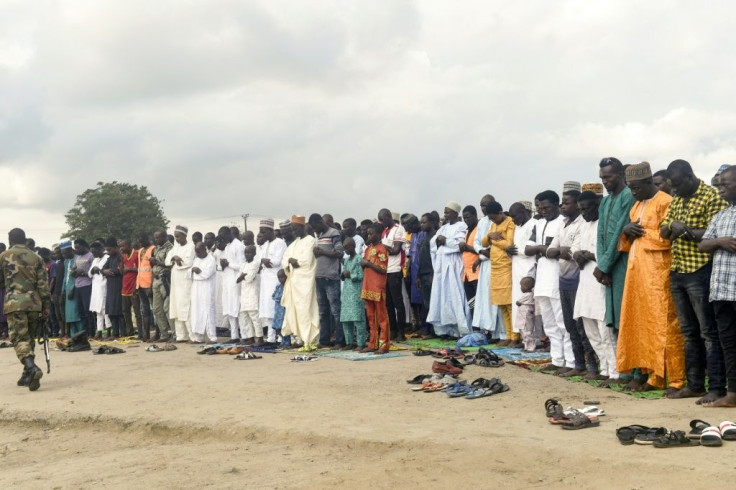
(375, 265)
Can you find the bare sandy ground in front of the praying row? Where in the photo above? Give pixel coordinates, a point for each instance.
(181, 420)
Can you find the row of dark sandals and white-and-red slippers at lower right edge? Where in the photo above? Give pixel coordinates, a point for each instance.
(701, 434)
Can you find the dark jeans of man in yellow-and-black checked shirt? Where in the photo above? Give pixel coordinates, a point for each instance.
(697, 320)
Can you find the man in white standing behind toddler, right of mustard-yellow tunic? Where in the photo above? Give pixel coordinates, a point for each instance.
(521, 264)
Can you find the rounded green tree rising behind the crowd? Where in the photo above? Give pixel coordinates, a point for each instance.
(114, 209)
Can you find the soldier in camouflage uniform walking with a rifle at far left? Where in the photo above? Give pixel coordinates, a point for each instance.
(27, 302)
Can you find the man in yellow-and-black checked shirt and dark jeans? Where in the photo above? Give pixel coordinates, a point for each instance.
(690, 213)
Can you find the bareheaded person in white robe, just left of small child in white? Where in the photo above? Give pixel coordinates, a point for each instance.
(231, 259)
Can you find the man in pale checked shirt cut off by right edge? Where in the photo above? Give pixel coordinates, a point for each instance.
(720, 240)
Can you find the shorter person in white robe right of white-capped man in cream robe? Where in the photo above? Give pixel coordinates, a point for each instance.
(203, 273)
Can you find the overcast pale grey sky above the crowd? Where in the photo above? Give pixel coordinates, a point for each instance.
(281, 107)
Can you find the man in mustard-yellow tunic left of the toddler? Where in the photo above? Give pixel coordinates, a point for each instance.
(500, 237)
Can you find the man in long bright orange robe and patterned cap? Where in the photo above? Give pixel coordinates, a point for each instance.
(650, 338)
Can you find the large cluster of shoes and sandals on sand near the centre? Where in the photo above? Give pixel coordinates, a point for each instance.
(446, 374)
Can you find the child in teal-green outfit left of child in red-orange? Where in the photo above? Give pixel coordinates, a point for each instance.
(352, 314)
